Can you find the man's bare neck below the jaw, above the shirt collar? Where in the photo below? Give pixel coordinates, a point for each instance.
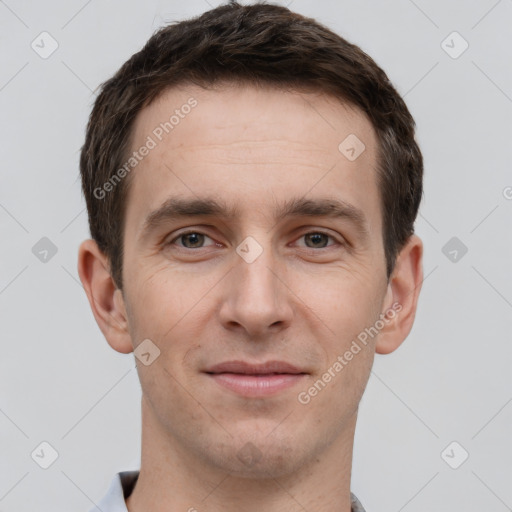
(172, 478)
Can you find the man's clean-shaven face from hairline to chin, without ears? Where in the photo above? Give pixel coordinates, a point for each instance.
(253, 260)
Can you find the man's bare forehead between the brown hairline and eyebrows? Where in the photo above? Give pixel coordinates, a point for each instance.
(251, 147)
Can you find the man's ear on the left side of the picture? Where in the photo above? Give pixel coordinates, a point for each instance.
(105, 299)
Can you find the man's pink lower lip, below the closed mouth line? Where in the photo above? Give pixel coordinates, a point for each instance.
(257, 385)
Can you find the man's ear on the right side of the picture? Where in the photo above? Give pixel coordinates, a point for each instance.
(402, 294)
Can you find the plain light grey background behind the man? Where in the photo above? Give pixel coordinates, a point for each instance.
(450, 381)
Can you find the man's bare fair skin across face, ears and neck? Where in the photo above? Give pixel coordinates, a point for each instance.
(297, 302)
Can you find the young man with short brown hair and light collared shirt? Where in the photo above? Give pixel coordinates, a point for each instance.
(252, 182)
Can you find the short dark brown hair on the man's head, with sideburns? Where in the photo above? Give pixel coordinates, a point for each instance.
(259, 44)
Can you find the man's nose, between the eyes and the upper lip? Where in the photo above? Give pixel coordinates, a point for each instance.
(256, 298)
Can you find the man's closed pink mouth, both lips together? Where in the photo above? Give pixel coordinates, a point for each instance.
(256, 380)
